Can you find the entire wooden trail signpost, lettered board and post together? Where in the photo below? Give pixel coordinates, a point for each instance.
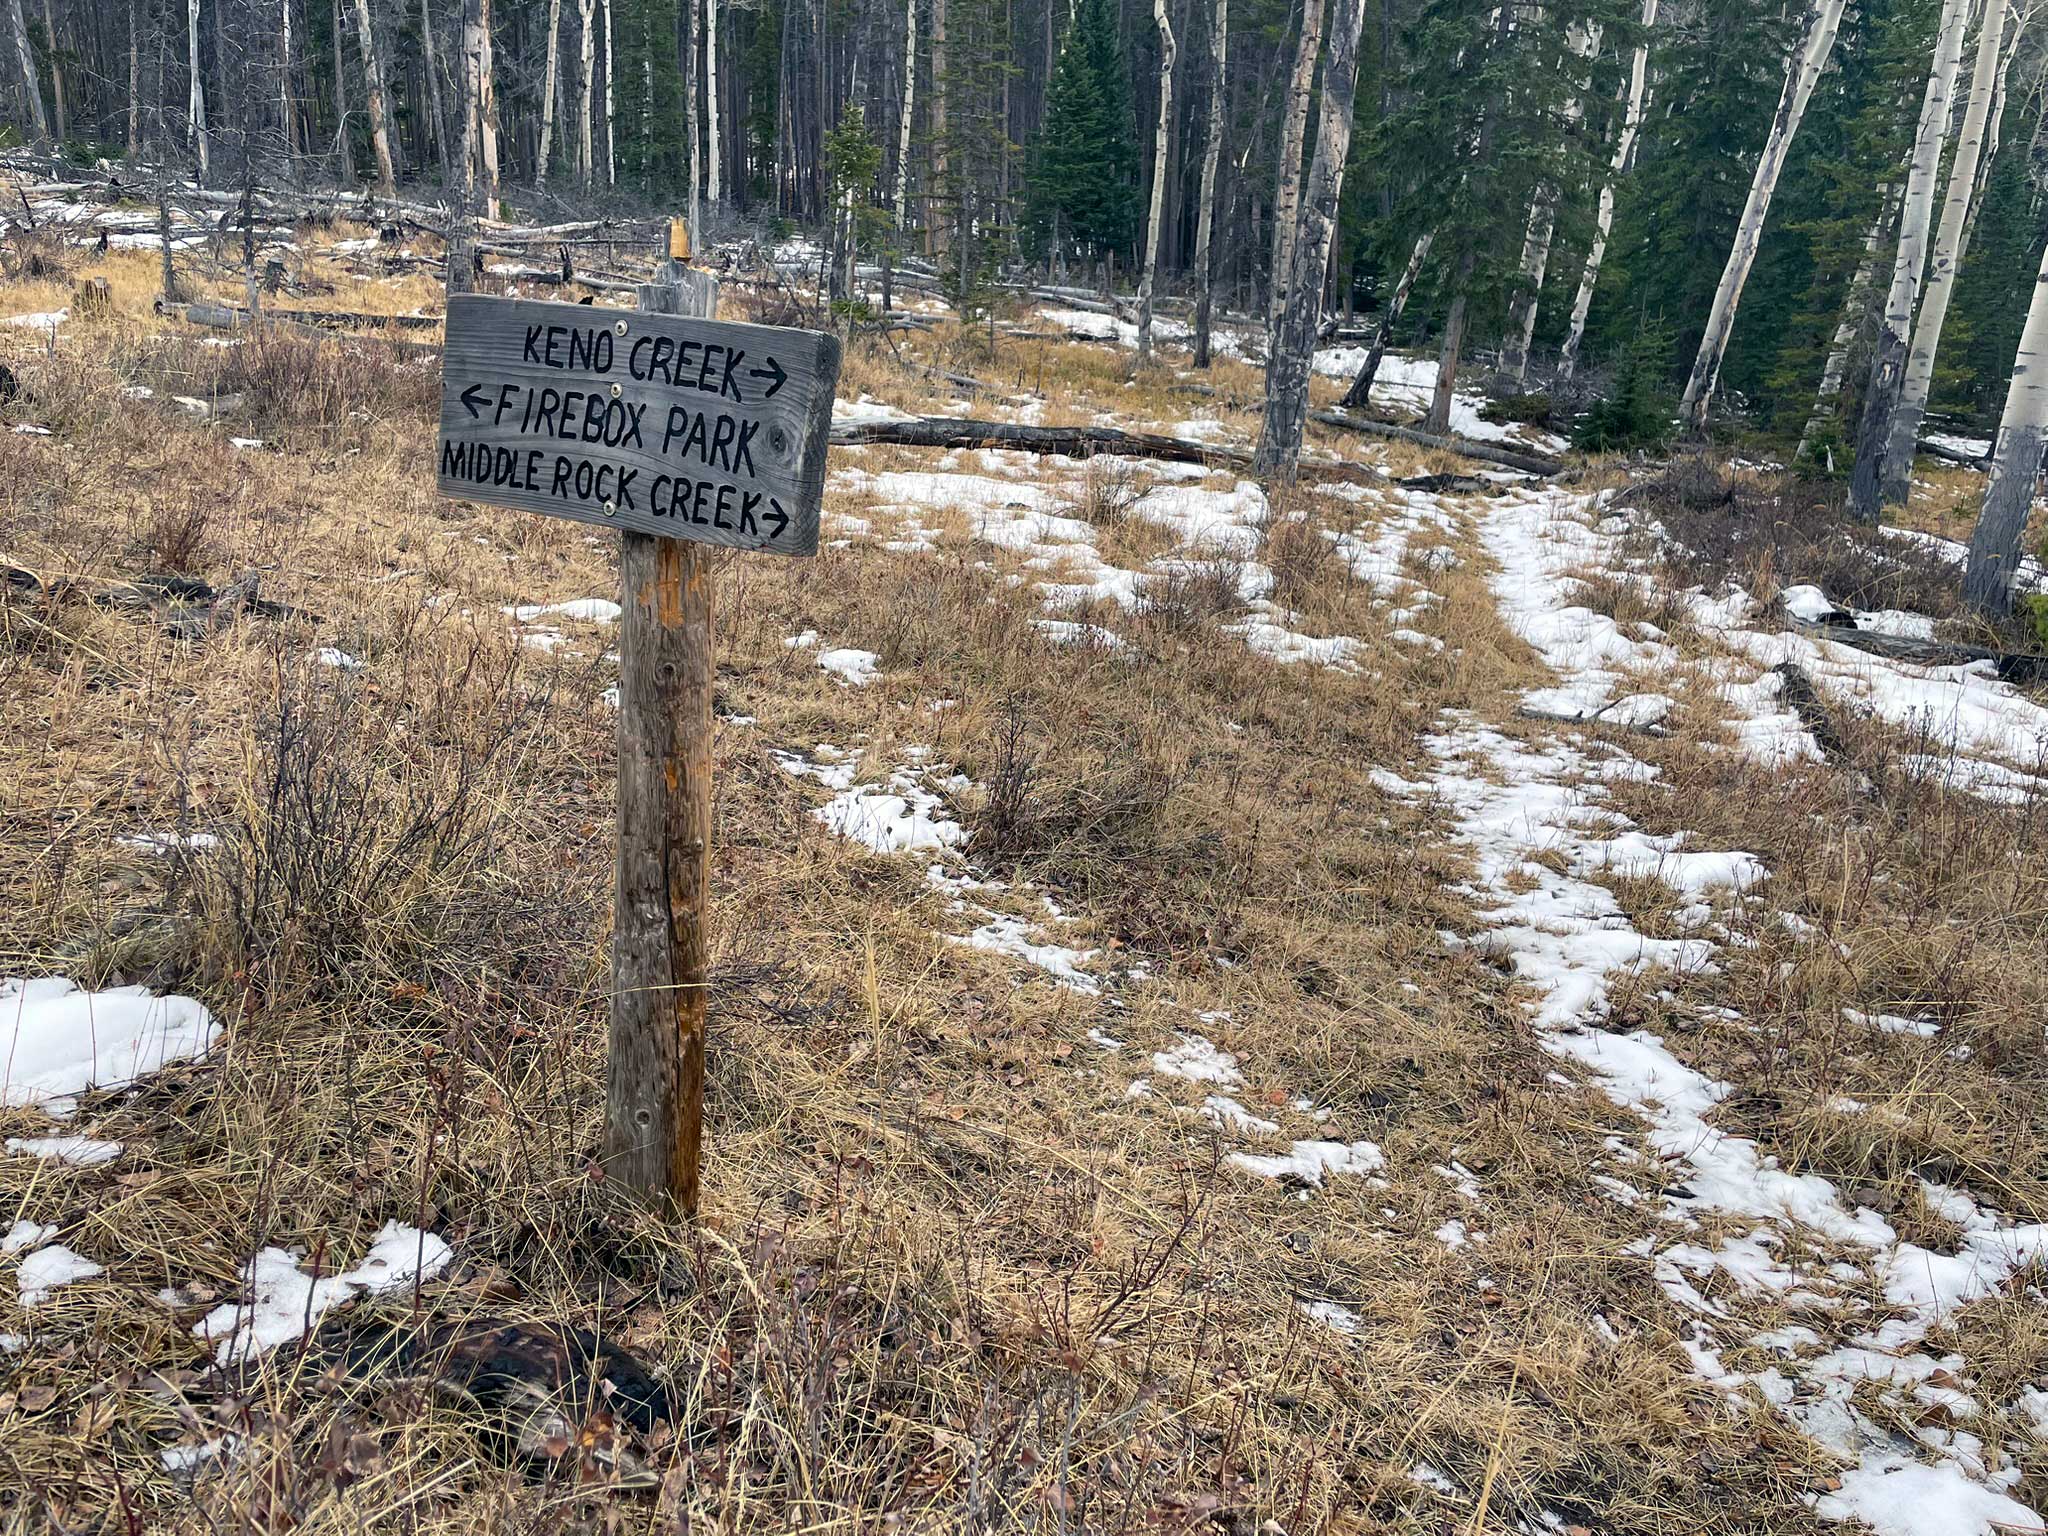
(681, 431)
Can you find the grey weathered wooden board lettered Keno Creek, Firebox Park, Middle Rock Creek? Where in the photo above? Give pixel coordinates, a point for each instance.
(679, 429)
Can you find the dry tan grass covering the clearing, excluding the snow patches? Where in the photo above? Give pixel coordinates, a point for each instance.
(951, 1273)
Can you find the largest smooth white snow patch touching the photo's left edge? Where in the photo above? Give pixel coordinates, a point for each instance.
(58, 1041)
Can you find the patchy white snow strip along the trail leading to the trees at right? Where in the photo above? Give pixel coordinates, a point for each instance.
(1533, 816)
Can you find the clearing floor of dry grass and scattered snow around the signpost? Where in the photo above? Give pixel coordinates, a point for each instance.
(1340, 1011)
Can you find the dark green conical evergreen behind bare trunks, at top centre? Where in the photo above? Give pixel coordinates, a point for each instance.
(1084, 181)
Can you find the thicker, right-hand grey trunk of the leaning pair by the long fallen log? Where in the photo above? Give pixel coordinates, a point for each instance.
(1289, 357)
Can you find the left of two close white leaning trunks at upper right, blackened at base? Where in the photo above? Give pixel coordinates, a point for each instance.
(1916, 216)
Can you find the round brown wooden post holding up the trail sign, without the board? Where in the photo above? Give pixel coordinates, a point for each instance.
(654, 1095)
